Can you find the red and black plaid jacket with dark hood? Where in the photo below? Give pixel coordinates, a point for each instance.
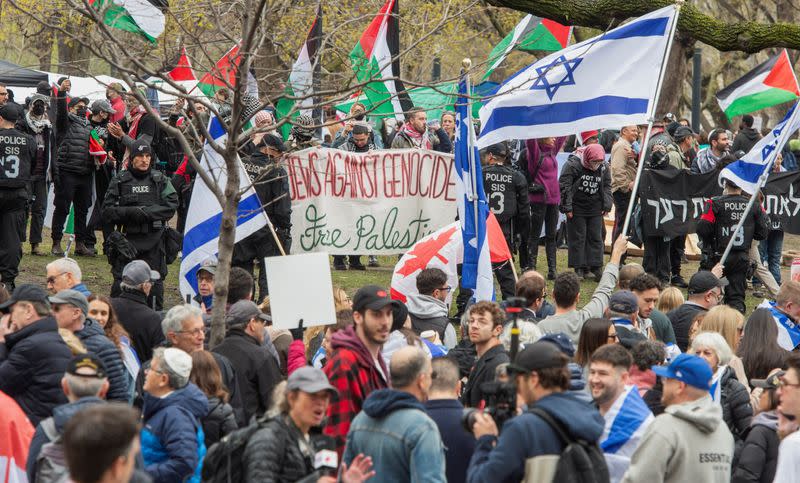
(352, 371)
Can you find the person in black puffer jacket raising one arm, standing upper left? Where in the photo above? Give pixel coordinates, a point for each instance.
(73, 185)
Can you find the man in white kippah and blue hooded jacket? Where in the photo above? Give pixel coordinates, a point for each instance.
(173, 408)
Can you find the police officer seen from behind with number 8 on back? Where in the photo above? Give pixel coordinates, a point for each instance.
(717, 227)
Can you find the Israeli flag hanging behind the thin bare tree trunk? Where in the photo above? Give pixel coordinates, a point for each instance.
(204, 218)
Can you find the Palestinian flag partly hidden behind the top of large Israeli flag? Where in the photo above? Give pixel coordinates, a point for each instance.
(531, 33)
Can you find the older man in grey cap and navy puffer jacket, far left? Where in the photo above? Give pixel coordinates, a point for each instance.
(71, 310)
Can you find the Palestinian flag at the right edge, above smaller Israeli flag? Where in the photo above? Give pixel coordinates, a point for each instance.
(769, 84)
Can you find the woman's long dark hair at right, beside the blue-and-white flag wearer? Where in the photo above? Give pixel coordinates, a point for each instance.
(759, 349)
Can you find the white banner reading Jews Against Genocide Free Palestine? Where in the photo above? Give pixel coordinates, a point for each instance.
(374, 203)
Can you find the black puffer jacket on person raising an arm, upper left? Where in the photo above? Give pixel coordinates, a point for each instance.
(72, 139)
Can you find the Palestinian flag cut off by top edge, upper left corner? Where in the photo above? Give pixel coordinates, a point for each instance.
(143, 17)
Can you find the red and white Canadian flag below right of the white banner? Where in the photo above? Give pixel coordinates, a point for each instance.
(443, 249)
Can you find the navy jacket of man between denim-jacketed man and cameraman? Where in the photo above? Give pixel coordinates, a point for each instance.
(458, 443)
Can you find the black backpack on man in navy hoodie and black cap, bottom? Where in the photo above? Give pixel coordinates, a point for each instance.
(580, 461)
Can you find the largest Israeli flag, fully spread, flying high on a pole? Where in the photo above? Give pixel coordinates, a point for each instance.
(603, 82)
